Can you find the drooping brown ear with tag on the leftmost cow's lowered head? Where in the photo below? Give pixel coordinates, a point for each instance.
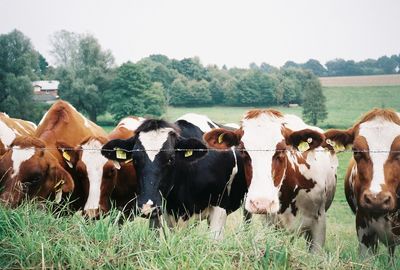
(62, 181)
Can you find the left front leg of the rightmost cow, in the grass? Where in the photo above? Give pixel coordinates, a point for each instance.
(367, 238)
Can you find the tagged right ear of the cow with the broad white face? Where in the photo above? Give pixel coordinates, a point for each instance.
(304, 140)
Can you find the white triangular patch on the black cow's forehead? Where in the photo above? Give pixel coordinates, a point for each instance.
(152, 141)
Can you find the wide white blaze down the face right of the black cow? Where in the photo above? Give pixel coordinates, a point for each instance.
(262, 133)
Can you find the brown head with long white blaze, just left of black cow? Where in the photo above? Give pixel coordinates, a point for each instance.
(92, 172)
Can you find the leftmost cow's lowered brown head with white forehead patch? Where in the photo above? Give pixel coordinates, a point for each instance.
(27, 169)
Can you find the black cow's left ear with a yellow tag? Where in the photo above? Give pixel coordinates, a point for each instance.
(119, 150)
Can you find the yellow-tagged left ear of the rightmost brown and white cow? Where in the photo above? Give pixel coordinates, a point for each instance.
(338, 140)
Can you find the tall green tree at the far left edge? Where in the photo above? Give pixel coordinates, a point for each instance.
(19, 65)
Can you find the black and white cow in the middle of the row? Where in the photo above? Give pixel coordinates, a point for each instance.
(173, 163)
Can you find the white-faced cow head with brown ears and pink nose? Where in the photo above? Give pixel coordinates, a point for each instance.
(268, 145)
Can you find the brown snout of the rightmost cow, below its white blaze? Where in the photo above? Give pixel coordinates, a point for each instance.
(378, 202)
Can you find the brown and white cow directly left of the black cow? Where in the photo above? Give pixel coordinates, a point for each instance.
(104, 181)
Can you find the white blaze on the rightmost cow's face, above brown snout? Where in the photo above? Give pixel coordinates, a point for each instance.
(379, 134)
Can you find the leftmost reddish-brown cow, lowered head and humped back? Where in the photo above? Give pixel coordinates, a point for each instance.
(34, 167)
